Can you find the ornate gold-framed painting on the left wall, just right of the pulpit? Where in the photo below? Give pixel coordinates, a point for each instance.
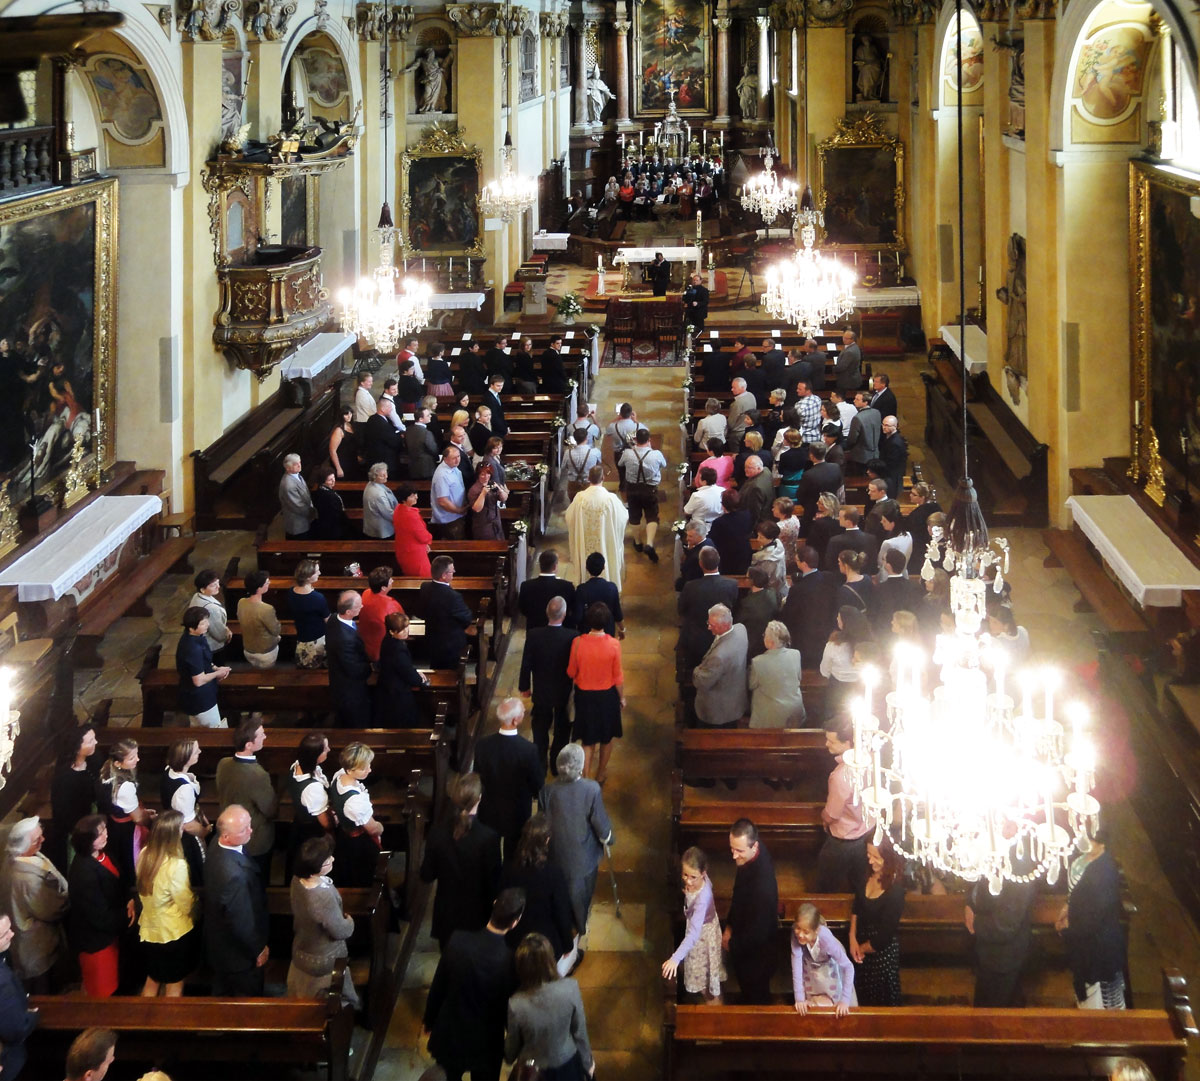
(440, 196)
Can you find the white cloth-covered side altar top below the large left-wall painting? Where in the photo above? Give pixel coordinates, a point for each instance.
(53, 567)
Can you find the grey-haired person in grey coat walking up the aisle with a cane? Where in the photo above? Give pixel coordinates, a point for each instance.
(579, 831)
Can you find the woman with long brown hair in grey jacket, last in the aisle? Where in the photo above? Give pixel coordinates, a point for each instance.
(547, 1024)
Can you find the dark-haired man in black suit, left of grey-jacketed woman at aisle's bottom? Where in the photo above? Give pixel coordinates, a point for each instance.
(469, 1002)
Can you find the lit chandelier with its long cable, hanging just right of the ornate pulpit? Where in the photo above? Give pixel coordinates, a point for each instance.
(374, 311)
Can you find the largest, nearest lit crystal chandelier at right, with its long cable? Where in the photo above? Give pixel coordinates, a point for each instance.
(962, 778)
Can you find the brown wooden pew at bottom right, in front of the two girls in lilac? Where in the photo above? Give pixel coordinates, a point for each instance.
(925, 1042)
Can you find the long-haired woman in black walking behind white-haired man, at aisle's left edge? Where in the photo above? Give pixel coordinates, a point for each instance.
(464, 857)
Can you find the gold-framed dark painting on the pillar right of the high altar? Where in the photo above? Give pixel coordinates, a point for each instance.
(861, 187)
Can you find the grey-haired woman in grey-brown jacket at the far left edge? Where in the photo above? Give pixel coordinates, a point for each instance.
(35, 896)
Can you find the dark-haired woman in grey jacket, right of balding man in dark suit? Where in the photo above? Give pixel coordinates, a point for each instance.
(321, 924)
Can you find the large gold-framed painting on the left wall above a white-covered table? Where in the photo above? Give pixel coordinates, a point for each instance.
(58, 320)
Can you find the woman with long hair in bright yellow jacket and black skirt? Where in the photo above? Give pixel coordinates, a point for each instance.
(169, 932)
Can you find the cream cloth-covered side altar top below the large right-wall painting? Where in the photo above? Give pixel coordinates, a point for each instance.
(1142, 556)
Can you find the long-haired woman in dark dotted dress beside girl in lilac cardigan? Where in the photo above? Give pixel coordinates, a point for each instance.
(874, 920)
